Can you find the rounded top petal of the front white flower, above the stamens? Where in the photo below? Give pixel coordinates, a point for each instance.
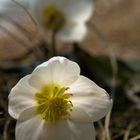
(58, 70)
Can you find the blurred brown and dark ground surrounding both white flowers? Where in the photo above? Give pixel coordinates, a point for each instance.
(109, 55)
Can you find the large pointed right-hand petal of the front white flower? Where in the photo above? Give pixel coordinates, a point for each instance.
(89, 98)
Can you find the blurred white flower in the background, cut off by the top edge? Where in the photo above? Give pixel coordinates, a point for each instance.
(66, 16)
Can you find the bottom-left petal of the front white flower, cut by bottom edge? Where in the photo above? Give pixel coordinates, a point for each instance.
(29, 126)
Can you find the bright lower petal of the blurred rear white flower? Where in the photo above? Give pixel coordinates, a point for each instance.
(73, 32)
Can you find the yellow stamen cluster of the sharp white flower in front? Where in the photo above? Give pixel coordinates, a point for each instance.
(54, 103)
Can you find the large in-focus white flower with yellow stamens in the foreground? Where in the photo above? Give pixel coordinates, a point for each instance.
(55, 102)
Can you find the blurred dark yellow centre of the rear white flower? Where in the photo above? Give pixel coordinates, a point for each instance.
(53, 18)
